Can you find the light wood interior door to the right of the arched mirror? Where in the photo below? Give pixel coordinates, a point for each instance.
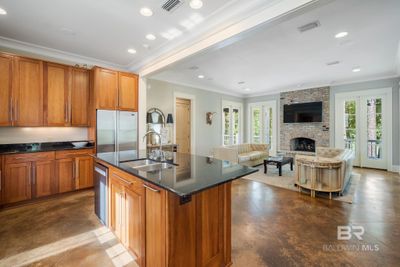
(183, 125)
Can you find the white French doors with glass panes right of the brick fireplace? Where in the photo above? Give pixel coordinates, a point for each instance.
(362, 125)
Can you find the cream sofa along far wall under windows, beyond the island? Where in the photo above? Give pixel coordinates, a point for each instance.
(244, 154)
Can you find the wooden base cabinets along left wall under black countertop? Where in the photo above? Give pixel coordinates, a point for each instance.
(34, 175)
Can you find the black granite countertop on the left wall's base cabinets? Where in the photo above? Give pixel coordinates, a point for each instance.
(40, 147)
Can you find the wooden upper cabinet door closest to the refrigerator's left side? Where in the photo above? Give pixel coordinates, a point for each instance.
(80, 85)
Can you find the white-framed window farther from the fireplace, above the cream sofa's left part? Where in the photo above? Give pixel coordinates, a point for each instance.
(231, 123)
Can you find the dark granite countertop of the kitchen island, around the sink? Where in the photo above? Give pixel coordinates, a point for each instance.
(190, 173)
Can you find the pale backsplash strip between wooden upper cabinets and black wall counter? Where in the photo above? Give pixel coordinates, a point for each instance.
(16, 135)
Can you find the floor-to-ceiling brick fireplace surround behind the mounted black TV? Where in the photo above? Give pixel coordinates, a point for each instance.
(305, 137)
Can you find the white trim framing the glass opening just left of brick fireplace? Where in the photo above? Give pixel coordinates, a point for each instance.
(273, 104)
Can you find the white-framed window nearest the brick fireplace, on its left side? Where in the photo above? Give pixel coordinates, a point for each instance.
(263, 124)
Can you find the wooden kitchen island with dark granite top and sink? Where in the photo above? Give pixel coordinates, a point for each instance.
(176, 214)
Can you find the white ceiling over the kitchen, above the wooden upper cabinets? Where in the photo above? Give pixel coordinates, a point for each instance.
(103, 30)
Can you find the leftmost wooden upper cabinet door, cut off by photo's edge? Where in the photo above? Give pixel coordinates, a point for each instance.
(5, 90)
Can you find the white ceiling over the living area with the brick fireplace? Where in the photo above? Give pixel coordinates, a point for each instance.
(276, 57)
